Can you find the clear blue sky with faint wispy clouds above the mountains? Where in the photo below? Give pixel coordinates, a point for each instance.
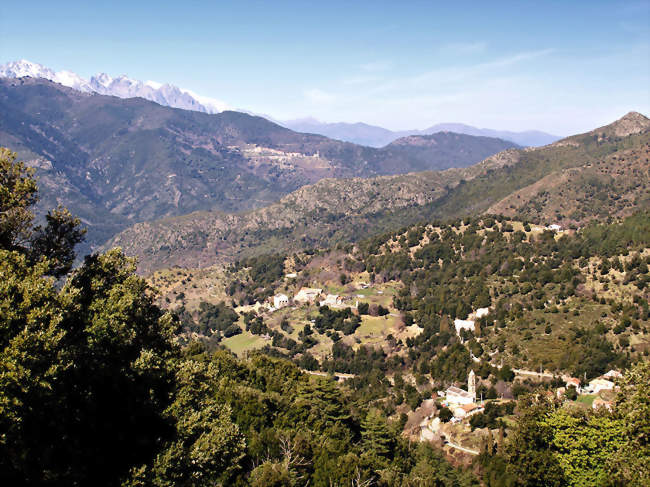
(562, 67)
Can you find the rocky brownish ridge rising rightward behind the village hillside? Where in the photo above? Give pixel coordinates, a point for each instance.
(313, 216)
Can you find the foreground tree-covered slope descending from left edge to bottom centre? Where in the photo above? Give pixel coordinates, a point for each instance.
(95, 389)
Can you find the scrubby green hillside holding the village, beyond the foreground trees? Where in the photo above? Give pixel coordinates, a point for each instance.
(559, 305)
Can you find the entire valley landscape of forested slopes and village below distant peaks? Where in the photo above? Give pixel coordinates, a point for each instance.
(267, 307)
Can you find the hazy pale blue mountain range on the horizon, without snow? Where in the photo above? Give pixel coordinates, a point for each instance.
(373, 136)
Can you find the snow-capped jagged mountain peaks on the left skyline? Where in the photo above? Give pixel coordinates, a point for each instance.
(122, 86)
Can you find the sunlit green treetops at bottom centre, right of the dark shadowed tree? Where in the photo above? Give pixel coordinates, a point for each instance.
(334, 442)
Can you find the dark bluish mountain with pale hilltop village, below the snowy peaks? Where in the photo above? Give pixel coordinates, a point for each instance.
(115, 161)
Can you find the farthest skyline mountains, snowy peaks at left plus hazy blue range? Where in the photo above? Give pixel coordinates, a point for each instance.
(172, 96)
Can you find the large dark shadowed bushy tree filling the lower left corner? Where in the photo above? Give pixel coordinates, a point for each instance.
(88, 376)
